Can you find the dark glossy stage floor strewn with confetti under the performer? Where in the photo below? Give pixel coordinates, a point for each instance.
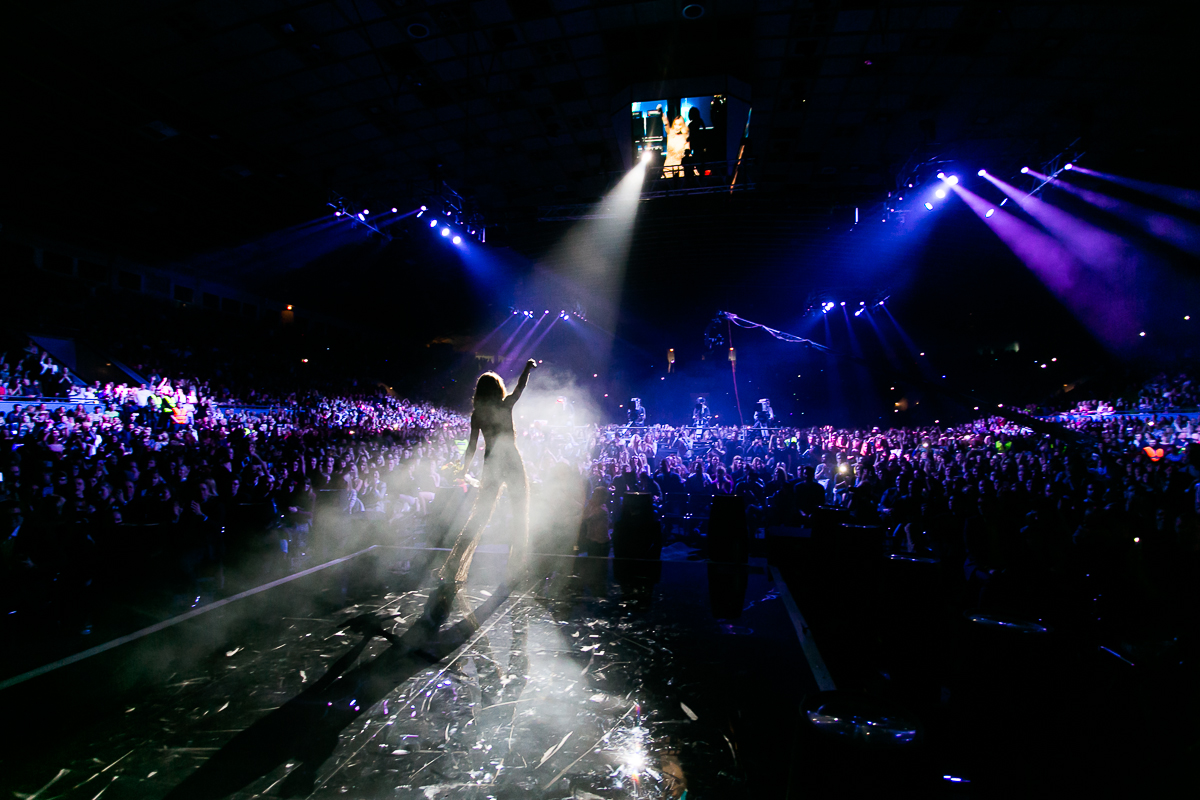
(608, 679)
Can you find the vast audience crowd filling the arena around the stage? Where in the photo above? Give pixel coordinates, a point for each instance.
(166, 477)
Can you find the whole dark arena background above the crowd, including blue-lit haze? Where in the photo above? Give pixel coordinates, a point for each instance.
(208, 136)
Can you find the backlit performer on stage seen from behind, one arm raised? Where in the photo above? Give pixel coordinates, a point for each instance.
(493, 417)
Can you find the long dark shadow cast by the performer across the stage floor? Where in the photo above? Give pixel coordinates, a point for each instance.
(307, 729)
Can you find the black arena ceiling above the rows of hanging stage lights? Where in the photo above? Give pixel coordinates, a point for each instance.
(163, 129)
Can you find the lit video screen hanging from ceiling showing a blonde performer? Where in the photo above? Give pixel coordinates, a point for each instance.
(688, 134)
